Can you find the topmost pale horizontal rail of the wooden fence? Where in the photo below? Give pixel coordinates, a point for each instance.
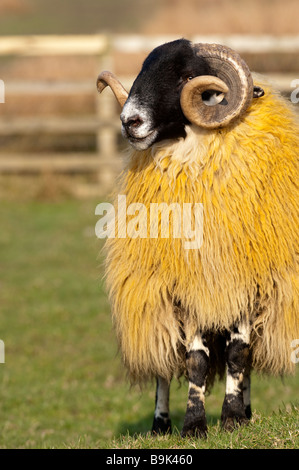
(99, 43)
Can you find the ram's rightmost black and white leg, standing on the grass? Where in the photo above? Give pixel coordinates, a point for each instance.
(238, 379)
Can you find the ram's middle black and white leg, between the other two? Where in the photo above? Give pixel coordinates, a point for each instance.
(197, 363)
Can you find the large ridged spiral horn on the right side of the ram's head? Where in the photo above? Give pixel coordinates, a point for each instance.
(229, 76)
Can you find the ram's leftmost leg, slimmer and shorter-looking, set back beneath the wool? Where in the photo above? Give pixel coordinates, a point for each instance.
(162, 423)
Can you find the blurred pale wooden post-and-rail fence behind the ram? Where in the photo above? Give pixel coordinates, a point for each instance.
(105, 124)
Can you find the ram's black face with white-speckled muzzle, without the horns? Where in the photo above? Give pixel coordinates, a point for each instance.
(152, 112)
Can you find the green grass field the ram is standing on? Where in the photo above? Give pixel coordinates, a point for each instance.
(62, 384)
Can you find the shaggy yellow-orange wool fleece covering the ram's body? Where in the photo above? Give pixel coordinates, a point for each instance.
(246, 177)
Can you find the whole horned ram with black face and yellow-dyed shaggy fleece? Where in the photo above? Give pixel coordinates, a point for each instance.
(202, 130)
